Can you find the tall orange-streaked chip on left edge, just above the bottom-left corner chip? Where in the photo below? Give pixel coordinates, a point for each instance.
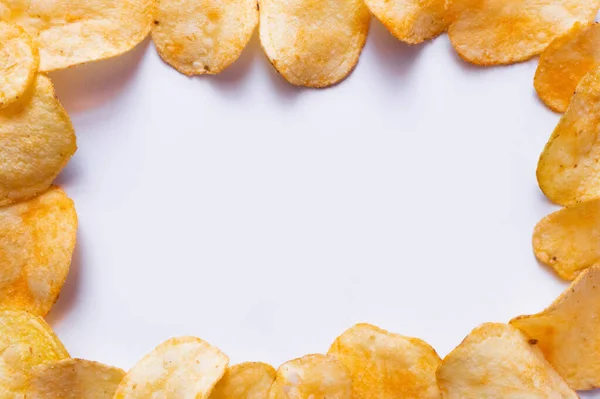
(37, 238)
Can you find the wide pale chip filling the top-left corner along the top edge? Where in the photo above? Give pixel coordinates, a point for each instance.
(71, 32)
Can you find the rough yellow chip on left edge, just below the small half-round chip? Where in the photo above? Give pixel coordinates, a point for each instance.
(36, 142)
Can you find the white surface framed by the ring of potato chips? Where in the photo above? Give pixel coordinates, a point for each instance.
(267, 219)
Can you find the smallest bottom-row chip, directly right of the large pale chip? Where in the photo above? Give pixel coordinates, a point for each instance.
(245, 381)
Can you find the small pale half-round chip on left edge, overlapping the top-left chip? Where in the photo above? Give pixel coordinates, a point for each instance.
(19, 61)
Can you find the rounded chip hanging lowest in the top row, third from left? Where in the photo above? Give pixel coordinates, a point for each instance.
(313, 43)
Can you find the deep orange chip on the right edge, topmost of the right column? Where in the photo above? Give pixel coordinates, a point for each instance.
(565, 62)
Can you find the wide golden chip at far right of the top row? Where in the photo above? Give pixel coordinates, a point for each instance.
(505, 31)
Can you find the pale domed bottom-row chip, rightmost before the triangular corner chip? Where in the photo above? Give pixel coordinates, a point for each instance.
(497, 361)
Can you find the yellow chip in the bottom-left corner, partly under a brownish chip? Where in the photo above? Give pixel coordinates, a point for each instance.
(26, 341)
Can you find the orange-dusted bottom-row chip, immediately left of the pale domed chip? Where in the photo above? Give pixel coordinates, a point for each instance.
(383, 364)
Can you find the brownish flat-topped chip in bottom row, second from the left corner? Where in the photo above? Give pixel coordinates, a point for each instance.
(74, 379)
